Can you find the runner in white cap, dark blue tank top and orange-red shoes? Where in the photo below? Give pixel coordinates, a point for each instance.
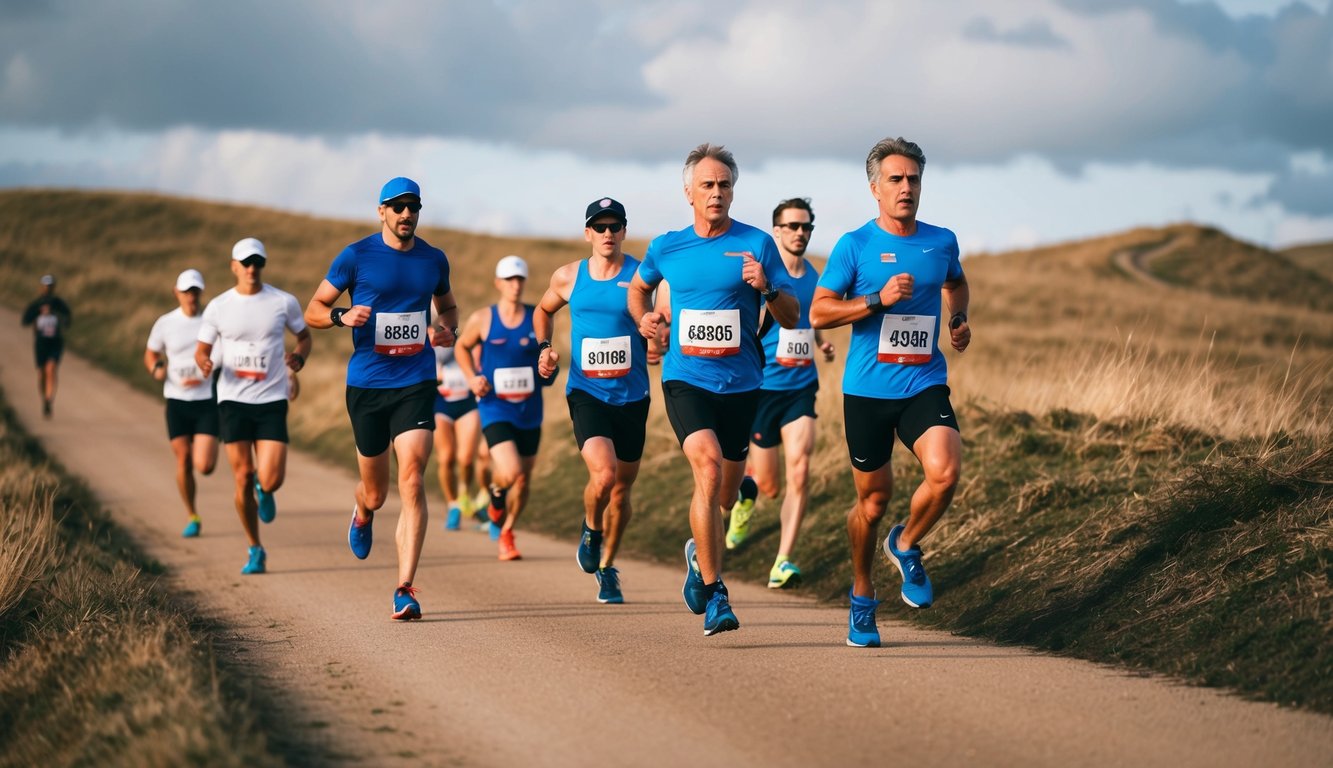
(509, 397)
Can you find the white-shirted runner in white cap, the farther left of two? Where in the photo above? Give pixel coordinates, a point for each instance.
(191, 402)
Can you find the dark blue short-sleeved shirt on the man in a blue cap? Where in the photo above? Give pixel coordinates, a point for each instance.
(393, 349)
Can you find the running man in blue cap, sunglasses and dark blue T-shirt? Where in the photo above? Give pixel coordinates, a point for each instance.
(393, 279)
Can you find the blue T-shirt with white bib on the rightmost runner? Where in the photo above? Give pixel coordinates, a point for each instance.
(895, 354)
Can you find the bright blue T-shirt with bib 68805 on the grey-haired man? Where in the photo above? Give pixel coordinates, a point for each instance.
(715, 314)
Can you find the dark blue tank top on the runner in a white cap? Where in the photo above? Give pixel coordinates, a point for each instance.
(510, 362)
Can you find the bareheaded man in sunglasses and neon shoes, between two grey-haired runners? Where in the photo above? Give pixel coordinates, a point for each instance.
(786, 413)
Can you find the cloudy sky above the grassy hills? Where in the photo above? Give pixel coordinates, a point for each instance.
(1042, 121)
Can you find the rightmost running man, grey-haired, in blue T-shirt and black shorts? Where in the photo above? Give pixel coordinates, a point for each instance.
(890, 281)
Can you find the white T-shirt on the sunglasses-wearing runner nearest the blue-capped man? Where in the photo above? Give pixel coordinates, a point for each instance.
(250, 331)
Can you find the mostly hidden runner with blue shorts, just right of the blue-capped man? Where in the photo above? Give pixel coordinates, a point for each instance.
(458, 431)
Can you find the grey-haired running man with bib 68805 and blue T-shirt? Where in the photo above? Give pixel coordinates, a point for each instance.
(720, 273)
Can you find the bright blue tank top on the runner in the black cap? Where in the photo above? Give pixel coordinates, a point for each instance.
(609, 357)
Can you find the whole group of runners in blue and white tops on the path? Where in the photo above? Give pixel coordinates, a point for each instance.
(732, 313)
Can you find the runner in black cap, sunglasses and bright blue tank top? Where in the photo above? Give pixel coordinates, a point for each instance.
(607, 390)
